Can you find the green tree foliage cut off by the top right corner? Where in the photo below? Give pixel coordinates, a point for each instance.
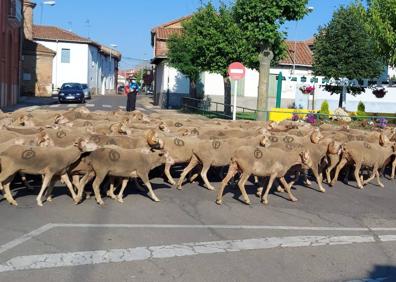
(382, 19)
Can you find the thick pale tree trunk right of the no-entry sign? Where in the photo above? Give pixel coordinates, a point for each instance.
(265, 58)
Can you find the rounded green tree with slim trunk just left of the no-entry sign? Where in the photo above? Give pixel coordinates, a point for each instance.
(210, 42)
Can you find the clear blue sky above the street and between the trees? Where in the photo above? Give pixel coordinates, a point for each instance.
(127, 23)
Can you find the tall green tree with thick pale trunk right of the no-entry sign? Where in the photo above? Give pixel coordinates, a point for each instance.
(260, 22)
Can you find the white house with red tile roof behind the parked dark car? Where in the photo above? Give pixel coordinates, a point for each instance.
(76, 58)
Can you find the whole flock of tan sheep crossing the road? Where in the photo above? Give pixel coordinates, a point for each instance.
(79, 147)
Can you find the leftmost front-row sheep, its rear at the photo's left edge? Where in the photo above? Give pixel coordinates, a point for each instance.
(42, 161)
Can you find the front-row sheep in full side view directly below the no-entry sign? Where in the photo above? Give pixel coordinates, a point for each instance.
(272, 162)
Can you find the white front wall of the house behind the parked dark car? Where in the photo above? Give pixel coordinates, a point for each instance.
(76, 70)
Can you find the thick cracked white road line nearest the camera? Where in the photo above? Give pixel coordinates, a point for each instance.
(176, 250)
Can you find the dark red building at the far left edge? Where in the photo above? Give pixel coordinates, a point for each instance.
(11, 22)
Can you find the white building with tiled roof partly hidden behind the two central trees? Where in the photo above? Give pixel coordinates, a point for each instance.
(298, 62)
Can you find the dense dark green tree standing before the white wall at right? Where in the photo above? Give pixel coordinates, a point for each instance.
(344, 48)
